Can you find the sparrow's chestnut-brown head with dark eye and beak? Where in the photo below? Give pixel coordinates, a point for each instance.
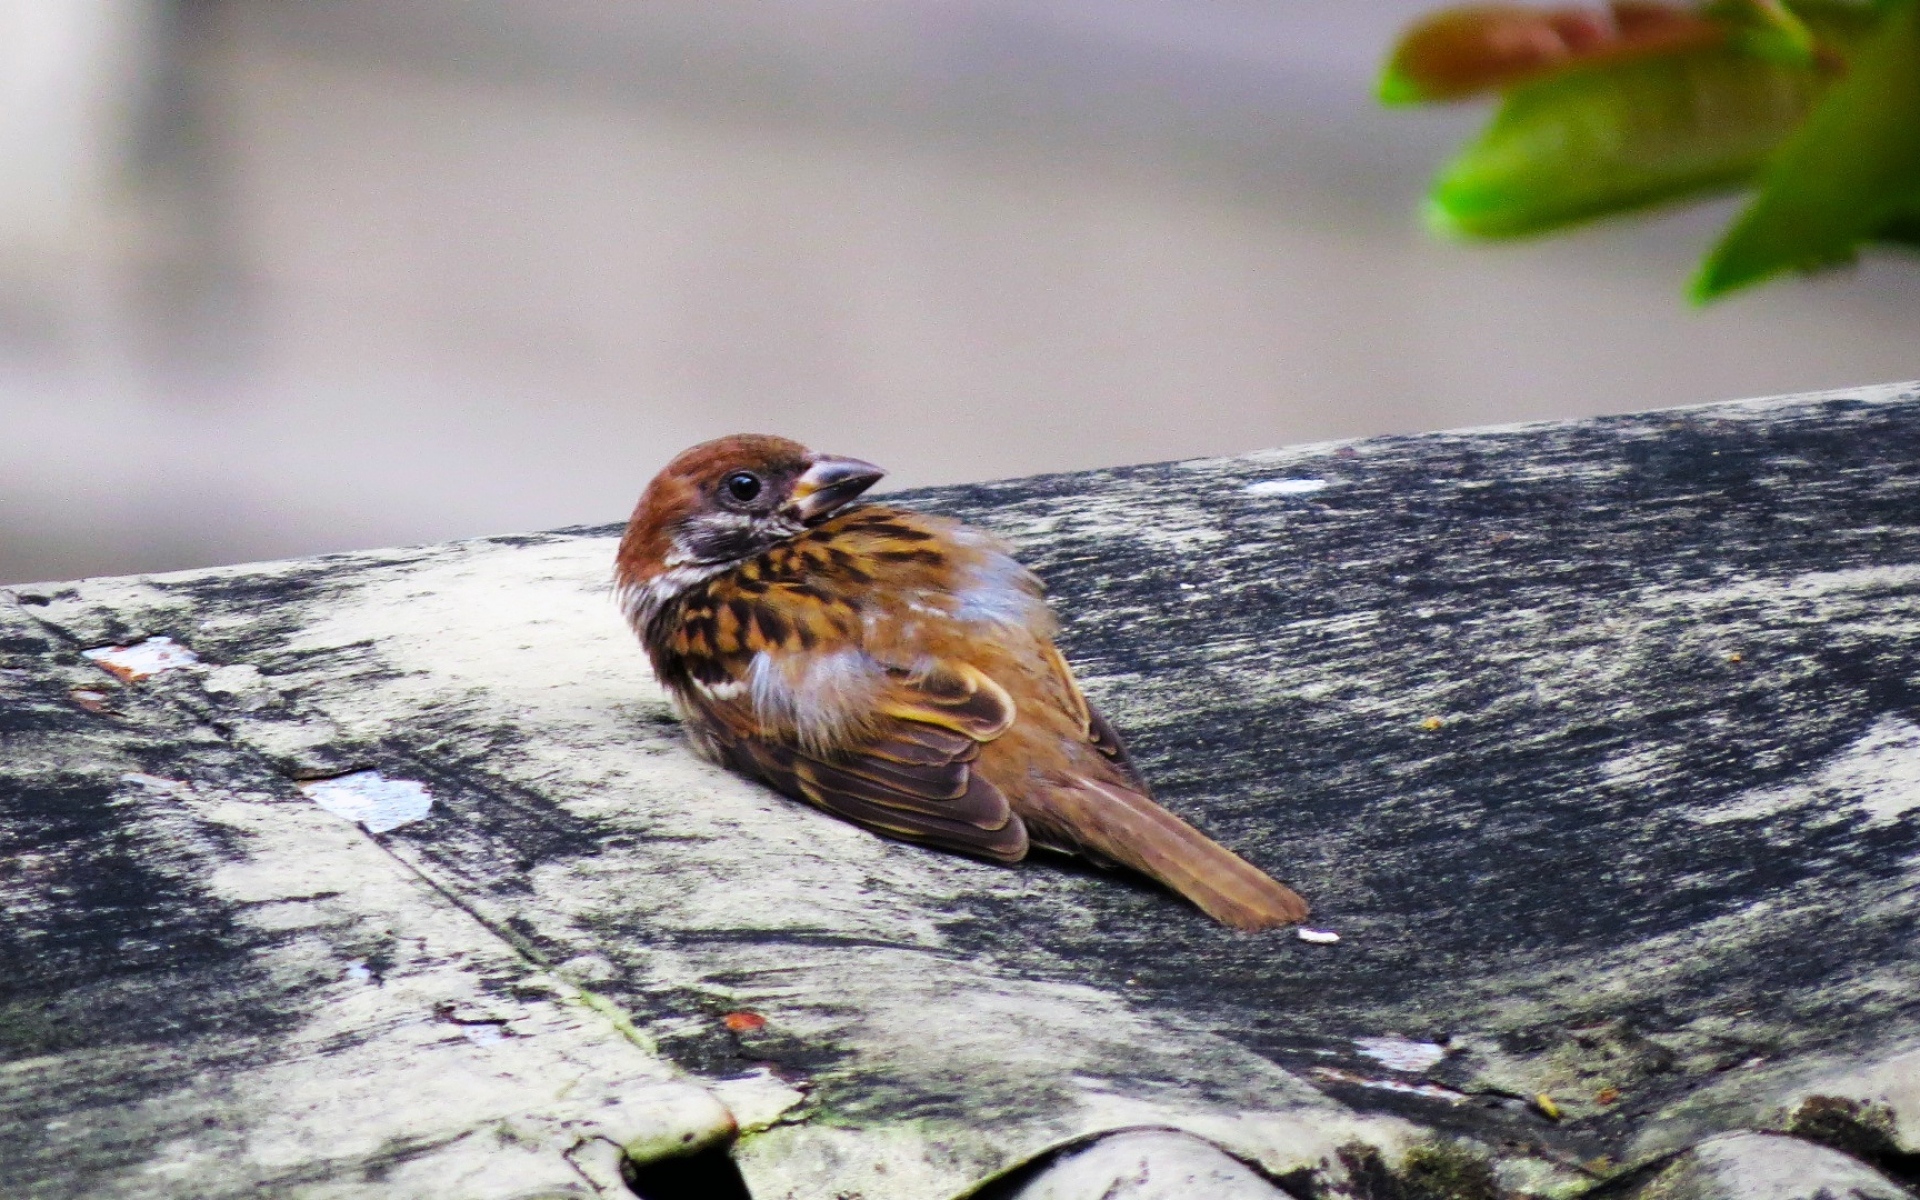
(723, 504)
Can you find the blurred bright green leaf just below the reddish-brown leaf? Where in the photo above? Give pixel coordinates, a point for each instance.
(1621, 137)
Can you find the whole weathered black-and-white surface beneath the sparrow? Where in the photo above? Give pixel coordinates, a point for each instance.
(1598, 744)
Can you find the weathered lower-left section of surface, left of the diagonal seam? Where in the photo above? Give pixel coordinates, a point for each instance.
(214, 988)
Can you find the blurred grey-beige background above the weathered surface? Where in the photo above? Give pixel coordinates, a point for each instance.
(304, 276)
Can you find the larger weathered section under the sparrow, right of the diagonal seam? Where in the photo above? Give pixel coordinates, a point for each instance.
(1598, 744)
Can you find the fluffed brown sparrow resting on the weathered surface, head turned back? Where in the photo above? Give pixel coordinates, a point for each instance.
(894, 669)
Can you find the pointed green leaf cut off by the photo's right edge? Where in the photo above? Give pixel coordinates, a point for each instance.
(1850, 174)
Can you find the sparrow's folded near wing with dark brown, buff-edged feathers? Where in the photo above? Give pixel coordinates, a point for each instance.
(913, 775)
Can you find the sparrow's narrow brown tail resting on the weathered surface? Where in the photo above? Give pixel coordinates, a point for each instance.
(1134, 830)
